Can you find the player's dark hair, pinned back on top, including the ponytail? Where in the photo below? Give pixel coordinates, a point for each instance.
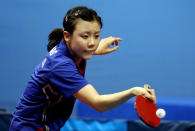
(69, 22)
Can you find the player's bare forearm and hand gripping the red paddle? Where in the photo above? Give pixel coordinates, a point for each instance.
(102, 103)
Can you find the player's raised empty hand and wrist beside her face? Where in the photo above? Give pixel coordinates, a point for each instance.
(105, 45)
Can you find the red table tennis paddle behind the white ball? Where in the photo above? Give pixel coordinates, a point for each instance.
(146, 110)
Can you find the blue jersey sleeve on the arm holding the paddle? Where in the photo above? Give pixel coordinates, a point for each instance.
(67, 79)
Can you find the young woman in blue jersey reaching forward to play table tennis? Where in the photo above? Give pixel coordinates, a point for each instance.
(58, 80)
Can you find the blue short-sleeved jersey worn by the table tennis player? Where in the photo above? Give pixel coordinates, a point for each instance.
(47, 101)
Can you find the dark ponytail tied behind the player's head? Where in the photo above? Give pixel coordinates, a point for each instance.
(54, 38)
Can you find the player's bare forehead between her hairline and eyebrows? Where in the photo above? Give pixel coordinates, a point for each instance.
(87, 26)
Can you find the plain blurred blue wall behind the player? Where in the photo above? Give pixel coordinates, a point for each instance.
(157, 48)
